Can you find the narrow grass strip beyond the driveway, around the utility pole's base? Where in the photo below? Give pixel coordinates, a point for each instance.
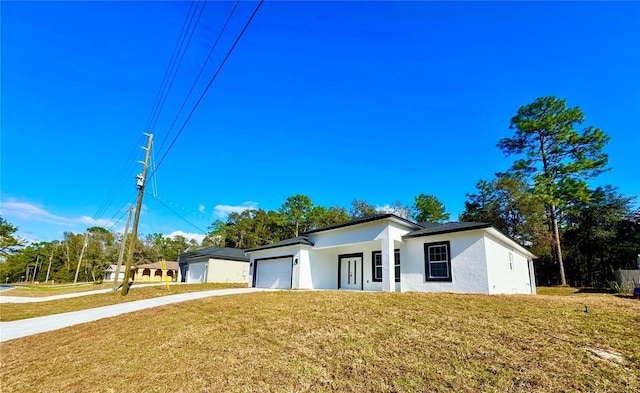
(15, 311)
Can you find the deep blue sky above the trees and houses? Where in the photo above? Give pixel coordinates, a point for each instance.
(338, 101)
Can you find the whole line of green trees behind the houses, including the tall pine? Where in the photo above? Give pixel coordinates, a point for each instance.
(543, 201)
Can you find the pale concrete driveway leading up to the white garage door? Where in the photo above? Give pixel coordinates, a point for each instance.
(27, 327)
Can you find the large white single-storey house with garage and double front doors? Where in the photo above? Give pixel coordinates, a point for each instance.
(389, 253)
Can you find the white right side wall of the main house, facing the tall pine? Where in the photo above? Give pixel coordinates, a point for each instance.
(506, 275)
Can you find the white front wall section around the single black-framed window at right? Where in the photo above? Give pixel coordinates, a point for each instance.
(468, 264)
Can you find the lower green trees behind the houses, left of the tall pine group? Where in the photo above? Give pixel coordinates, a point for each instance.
(87, 255)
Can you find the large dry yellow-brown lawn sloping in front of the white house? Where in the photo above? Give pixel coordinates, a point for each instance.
(294, 341)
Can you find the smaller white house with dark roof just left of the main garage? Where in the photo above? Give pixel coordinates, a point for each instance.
(214, 264)
